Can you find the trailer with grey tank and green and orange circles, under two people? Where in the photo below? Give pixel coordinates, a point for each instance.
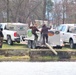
(53, 38)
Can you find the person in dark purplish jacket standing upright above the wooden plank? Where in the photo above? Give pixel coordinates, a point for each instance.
(44, 33)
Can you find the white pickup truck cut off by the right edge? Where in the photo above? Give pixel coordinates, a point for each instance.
(68, 34)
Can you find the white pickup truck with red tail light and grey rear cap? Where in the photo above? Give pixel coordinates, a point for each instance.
(13, 32)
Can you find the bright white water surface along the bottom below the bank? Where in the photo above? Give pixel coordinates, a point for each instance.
(37, 68)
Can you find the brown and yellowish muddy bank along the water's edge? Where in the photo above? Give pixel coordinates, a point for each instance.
(36, 55)
